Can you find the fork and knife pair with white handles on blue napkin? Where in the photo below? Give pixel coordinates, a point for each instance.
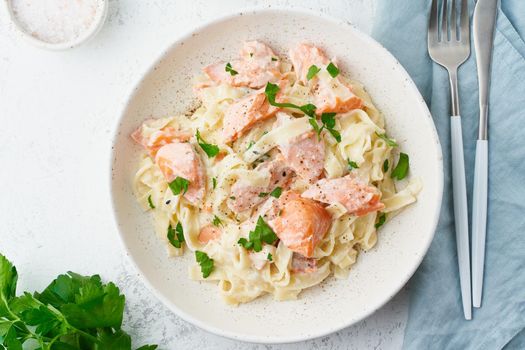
(449, 46)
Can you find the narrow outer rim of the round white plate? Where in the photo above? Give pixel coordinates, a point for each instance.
(131, 94)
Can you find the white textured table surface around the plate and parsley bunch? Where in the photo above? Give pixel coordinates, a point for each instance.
(57, 113)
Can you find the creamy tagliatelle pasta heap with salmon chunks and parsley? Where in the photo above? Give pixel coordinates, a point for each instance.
(340, 170)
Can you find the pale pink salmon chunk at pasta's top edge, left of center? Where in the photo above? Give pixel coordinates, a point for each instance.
(256, 66)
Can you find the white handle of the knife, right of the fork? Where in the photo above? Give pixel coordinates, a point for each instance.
(479, 219)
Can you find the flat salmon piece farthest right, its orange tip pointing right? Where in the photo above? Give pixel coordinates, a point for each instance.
(356, 196)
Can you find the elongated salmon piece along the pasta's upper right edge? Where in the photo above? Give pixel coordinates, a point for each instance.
(330, 94)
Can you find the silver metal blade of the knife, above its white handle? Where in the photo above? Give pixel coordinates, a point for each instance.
(483, 23)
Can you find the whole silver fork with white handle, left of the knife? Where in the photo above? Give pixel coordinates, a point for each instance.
(450, 48)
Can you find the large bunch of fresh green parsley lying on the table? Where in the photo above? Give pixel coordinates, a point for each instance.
(74, 312)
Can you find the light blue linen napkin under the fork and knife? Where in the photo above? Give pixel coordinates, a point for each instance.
(435, 318)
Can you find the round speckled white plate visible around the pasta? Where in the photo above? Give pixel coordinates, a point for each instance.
(379, 274)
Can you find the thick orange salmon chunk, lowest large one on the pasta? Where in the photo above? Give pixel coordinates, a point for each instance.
(301, 225)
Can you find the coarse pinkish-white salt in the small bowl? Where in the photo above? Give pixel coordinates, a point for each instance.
(56, 21)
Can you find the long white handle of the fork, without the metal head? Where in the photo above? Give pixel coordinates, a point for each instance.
(461, 213)
